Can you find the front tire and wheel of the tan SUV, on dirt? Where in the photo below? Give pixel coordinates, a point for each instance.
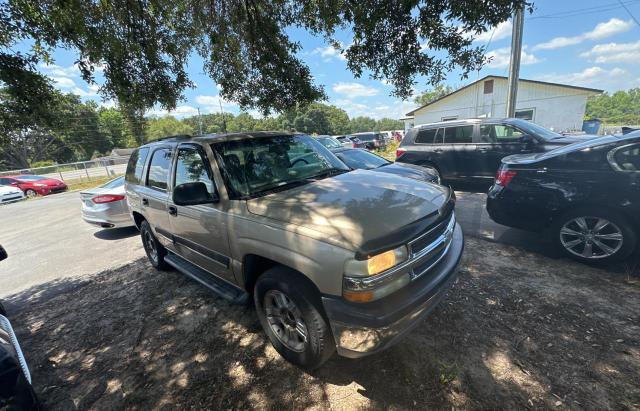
(302, 303)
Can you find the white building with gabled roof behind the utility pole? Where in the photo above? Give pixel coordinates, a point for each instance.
(560, 107)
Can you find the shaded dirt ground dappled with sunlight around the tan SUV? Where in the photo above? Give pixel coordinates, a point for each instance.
(517, 331)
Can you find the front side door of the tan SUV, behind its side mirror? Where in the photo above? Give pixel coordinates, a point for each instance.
(199, 231)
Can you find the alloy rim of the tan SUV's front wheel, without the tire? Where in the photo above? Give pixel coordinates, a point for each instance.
(285, 320)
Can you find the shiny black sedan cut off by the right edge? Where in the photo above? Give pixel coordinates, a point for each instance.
(586, 194)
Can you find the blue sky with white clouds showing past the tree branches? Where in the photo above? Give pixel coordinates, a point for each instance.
(593, 43)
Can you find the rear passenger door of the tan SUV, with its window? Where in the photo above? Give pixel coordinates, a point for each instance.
(154, 194)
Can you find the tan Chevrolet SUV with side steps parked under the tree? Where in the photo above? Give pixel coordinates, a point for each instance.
(333, 258)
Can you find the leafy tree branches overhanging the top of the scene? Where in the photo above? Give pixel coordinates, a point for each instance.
(143, 46)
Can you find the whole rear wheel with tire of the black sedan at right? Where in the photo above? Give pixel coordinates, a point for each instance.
(586, 228)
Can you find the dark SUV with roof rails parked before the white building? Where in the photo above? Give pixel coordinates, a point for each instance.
(472, 149)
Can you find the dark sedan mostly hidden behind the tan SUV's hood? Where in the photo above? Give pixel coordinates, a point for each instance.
(356, 158)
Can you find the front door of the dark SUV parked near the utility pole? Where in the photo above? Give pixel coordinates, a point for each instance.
(496, 141)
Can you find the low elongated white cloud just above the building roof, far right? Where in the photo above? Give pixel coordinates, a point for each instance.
(596, 77)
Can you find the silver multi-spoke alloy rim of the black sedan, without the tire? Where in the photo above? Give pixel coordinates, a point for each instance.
(591, 237)
